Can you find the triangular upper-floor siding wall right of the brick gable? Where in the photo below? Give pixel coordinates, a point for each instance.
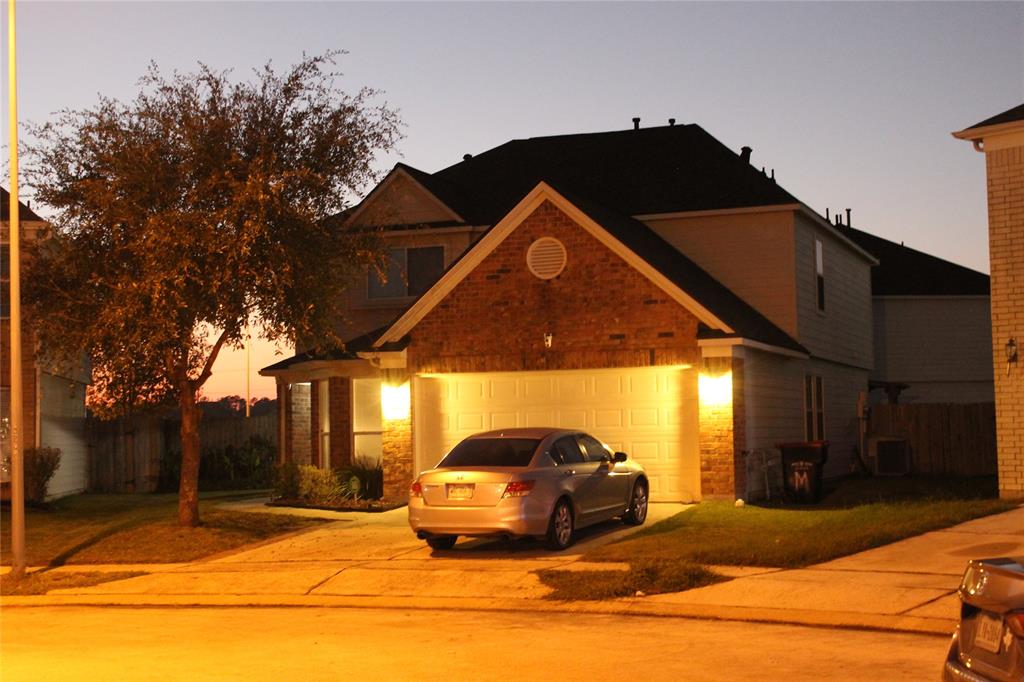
(750, 253)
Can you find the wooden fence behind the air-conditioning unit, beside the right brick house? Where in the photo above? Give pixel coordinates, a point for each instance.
(944, 439)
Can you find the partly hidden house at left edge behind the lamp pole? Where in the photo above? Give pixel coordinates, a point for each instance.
(55, 400)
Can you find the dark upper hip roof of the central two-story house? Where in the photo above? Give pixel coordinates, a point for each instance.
(652, 170)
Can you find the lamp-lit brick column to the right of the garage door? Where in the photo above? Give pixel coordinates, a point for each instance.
(722, 437)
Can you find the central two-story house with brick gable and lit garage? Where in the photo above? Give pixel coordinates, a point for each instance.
(650, 286)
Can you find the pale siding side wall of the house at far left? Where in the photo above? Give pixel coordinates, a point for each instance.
(63, 425)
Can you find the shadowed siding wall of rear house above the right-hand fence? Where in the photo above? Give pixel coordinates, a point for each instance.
(941, 346)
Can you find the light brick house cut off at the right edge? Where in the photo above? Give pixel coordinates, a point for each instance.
(1002, 139)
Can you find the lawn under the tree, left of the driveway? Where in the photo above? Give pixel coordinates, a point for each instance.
(139, 529)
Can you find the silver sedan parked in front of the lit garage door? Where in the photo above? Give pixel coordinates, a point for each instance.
(544, 483)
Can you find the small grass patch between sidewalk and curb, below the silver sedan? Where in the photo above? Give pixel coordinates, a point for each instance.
(645, 576)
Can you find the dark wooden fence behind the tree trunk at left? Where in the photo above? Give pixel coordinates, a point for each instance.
(125, 455)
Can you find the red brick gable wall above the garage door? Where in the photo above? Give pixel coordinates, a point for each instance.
(601, 312)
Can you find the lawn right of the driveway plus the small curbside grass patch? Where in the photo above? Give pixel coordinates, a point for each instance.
(859, 516)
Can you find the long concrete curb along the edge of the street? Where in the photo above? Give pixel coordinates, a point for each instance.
(628, 607)
